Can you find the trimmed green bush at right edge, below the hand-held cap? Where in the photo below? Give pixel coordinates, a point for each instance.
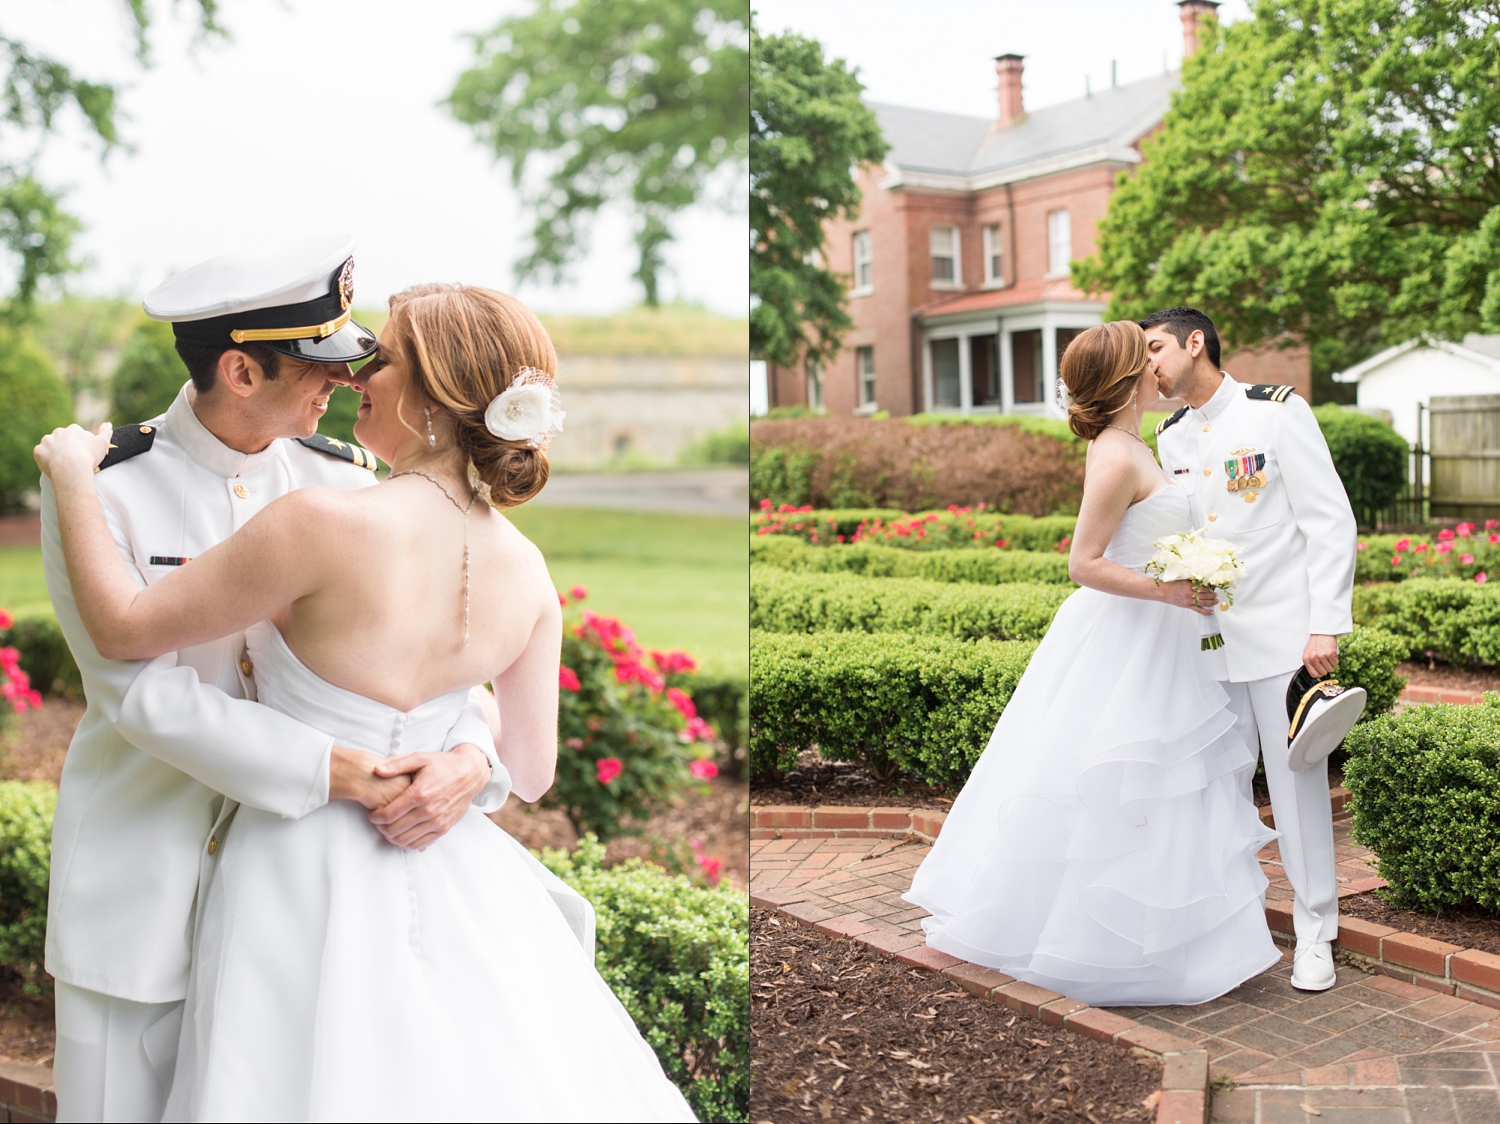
(1427, 801)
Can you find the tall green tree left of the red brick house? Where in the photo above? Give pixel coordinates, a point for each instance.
(809, 133)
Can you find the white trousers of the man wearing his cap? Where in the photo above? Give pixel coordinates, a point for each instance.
(115, 1057)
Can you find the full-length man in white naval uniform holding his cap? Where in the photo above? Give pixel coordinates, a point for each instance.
(1259, 473)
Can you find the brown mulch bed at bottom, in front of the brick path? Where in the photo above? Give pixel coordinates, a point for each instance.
(844, 1033)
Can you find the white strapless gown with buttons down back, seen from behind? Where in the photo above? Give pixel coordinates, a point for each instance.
(341, 979)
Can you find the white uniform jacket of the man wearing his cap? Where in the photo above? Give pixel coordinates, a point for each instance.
(169, 748)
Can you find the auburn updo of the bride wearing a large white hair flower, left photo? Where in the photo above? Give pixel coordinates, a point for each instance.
(463, 347)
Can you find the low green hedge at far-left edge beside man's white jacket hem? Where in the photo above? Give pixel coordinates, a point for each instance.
(26, 840)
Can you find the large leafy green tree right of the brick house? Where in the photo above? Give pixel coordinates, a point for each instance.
(1330, 173)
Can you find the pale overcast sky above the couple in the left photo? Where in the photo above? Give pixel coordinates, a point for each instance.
(320, 116)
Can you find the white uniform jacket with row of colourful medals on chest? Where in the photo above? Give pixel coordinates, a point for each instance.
(1259, 473)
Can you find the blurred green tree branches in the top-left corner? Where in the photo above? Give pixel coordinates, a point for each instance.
(35, 230)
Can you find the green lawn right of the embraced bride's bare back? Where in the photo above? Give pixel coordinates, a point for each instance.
(680, 582)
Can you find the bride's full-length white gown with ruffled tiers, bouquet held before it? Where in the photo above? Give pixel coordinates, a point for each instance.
(1105, 846)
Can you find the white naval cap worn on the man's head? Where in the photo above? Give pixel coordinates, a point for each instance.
(295, 298)
